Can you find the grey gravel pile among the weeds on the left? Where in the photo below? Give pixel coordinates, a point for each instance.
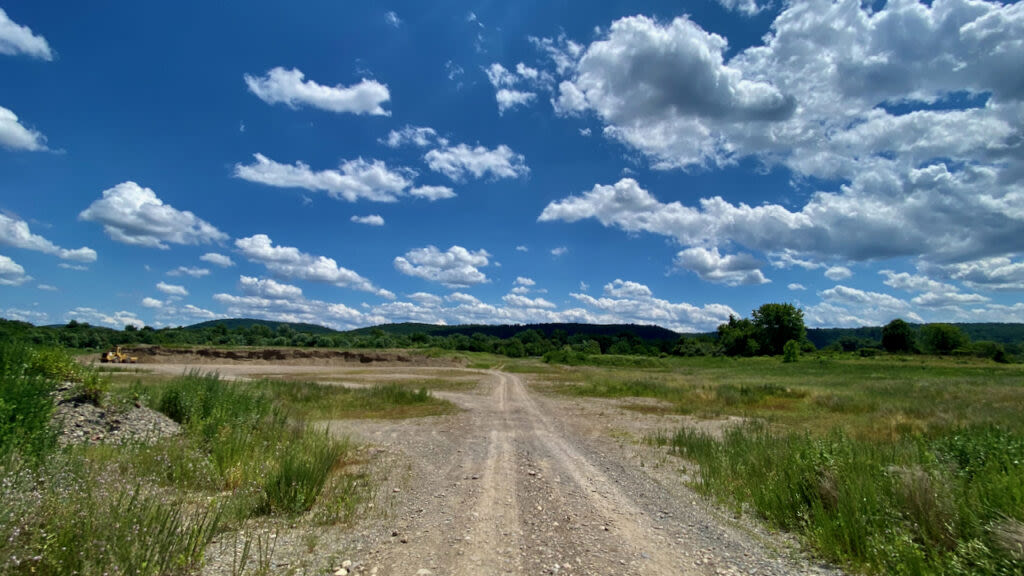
(80, 423)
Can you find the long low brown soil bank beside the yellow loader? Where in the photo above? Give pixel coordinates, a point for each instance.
(160, 355)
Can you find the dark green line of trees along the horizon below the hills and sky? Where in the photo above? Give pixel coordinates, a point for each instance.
(773, 330)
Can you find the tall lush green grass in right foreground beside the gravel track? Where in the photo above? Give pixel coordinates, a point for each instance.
(916, 507)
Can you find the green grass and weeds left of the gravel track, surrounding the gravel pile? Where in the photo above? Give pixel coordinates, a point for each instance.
(246, 456)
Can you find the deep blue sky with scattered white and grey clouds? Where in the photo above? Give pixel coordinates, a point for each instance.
(352, 164)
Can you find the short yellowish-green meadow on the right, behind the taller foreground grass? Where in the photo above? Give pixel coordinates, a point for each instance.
(883, 398)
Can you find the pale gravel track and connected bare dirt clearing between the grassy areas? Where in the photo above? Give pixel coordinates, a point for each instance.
(518, 483)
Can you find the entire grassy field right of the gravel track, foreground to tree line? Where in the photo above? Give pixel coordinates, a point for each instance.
(885, 465)
